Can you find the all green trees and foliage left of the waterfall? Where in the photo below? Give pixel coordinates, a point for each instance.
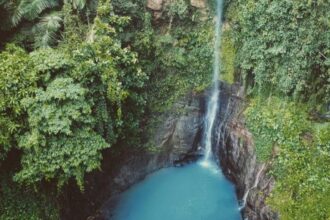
(94, 89)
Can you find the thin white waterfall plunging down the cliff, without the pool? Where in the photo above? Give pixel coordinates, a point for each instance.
(212, 105)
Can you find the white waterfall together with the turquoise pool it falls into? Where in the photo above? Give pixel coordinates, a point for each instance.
(196, 191)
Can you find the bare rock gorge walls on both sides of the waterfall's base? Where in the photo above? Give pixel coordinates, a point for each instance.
(177, 142)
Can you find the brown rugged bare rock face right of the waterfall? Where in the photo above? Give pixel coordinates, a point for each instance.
(236, 153)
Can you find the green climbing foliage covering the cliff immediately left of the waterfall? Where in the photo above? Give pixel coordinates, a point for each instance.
(175, 52)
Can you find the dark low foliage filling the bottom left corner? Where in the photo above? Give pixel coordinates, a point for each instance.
(18, 203)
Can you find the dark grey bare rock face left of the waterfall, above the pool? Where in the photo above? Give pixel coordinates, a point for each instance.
(175, 137)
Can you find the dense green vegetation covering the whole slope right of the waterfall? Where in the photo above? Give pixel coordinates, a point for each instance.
(283, 59)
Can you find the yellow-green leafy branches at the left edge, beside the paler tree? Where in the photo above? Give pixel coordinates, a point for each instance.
(20, 74)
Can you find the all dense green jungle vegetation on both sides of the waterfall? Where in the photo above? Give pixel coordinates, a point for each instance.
(78, 77)
